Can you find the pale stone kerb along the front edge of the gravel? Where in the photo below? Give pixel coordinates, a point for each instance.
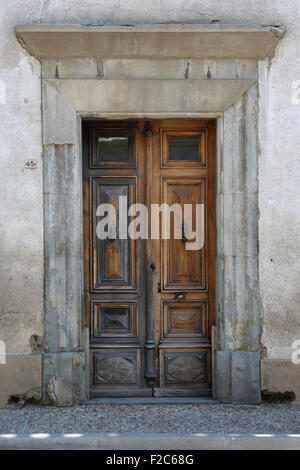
(150, 441)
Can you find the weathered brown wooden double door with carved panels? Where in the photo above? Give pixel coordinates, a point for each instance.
(149, 301)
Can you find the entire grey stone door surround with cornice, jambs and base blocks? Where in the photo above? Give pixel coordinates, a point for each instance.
(193, 71)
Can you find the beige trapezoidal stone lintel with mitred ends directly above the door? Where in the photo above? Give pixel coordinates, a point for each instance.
(147, 96)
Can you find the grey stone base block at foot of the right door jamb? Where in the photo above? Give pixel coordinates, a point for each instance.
(238, 377)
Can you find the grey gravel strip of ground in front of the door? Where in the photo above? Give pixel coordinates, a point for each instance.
(266, 418)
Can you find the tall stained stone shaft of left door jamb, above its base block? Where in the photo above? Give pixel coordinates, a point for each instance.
(62, 249)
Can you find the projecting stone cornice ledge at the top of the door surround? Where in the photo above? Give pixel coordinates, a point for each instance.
(148, 41)
